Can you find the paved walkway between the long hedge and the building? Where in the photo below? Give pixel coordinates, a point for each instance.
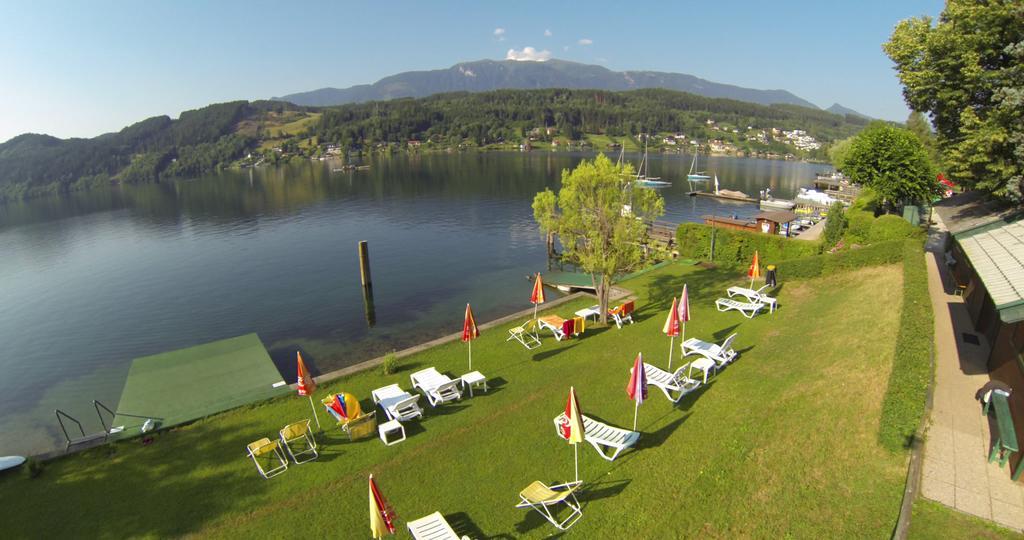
(956, 469)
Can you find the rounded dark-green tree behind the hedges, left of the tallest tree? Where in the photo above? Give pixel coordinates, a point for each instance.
(893, 162)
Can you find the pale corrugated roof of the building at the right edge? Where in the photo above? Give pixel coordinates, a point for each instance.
(998, 256)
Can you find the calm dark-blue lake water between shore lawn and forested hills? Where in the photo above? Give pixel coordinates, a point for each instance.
(91, 281)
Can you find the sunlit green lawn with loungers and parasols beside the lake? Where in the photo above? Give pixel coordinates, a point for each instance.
(783, 443)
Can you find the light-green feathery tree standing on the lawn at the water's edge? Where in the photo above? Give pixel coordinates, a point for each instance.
(602, 220)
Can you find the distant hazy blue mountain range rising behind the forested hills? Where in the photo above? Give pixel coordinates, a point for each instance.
(493, 75)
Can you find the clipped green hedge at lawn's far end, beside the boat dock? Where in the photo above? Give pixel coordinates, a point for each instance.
(736, 248)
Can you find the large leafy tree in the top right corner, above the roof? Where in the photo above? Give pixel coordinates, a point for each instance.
(967, 72)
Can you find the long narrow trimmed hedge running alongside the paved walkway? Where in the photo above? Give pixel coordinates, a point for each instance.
(904, 405)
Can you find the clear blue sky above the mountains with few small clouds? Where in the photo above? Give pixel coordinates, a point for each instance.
(80, 69)
